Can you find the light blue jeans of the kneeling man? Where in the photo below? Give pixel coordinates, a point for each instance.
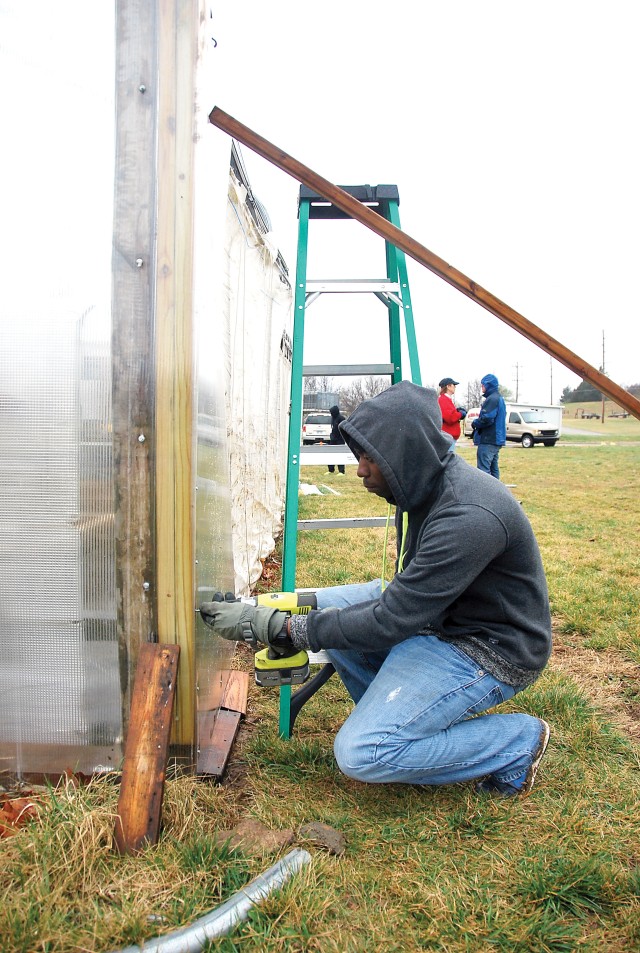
(413, 718)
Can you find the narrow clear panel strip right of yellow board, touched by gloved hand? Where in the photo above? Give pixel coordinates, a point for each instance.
(213, 524)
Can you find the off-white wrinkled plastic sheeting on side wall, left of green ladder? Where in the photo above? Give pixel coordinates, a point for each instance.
(258, 349)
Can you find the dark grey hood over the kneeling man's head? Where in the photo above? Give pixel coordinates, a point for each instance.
(400, 431)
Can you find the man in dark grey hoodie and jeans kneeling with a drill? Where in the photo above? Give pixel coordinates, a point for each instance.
(462, 626)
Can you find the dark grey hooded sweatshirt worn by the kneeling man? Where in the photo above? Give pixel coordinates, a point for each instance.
(472, 571)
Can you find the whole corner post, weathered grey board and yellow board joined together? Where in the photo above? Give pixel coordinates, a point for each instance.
(153, 360)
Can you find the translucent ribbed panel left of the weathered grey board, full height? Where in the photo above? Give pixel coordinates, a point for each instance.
(59, 671)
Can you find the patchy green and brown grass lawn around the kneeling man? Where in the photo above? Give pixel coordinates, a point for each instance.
(424, 868)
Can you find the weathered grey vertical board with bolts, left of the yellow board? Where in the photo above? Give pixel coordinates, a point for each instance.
(133, 279)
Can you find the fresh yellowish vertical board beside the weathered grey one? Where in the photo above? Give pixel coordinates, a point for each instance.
(178, 47)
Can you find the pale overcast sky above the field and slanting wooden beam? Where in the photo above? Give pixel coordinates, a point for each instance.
(510, 130)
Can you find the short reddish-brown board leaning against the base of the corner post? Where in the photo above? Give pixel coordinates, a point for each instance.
(146, 751)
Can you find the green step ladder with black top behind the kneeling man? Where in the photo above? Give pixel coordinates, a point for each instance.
(393, 292)
